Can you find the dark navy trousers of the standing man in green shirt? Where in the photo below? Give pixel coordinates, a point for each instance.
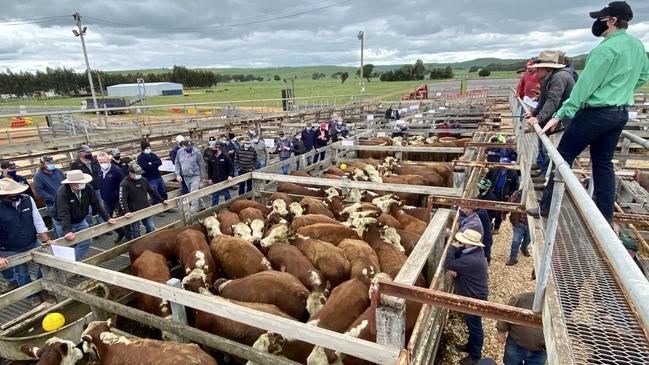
(599, 128)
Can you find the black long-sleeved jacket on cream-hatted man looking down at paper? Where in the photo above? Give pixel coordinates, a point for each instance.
(69, 210)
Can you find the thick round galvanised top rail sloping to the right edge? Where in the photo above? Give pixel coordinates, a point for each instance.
(635, 285)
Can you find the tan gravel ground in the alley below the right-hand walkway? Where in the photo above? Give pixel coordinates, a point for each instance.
(504, 282)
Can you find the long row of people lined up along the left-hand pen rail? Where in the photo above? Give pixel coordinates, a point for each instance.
(106, 186)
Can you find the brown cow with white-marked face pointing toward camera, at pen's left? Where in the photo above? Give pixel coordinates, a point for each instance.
(193, 252)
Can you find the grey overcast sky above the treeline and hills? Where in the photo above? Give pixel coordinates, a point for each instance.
(127, 34)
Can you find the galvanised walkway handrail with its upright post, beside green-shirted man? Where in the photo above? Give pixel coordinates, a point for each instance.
(630, 278)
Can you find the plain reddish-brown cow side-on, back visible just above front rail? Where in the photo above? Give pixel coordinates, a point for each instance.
(270, 287)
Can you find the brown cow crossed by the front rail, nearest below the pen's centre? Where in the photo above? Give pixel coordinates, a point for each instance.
(233, 330)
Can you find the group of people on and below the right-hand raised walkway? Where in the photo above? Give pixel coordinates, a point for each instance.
(576, 111)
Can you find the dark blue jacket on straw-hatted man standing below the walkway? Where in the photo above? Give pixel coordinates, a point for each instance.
(471, 268)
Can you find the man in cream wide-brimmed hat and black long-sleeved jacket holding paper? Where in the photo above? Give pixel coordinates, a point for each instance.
(74, 199)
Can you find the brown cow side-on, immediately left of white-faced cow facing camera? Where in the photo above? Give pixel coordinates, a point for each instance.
(162, 242)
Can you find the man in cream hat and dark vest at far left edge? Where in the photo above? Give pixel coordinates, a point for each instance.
(20, 223)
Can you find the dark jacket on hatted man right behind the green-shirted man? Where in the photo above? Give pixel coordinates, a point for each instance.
(555, 89)
